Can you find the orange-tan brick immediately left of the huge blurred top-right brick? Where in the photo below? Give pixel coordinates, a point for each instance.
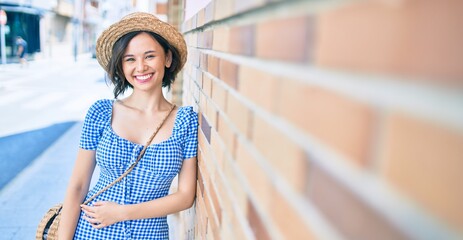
(283, 39)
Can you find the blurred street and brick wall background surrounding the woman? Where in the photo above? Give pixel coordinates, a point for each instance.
(319, 119)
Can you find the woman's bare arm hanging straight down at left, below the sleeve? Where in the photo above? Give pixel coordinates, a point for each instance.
(76, 192)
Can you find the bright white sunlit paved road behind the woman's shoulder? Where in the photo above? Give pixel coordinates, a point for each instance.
(48, 92)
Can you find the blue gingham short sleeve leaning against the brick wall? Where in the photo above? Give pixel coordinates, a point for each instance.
(190, 146)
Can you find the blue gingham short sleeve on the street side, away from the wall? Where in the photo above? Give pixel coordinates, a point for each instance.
(97, 118)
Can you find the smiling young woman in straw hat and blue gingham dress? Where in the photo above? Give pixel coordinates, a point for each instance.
(145, 54)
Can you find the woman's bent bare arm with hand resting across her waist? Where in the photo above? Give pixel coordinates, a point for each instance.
(103, 214)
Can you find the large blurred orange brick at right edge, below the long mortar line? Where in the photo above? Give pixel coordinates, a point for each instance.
(424, 160)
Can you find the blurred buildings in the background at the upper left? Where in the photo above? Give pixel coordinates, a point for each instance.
(66, 28)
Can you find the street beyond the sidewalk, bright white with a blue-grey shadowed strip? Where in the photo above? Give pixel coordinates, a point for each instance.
(40, 103)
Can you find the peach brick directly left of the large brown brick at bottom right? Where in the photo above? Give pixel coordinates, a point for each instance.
(284, 155)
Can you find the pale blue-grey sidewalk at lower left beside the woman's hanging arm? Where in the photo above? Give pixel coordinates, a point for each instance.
(38, 187)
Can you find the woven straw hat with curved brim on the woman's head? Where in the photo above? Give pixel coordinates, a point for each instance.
(138, 21)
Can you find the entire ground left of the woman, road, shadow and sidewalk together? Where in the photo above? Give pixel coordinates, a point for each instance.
(42, 108)
